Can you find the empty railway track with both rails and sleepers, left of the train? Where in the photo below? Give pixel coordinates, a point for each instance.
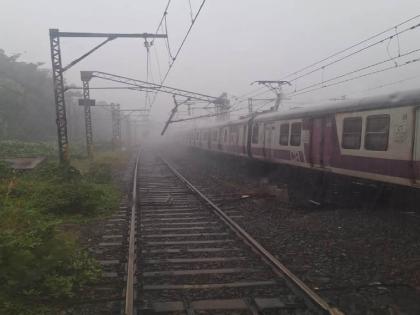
(191, 258)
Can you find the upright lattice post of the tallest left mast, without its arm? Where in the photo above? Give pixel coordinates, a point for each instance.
(60, 106)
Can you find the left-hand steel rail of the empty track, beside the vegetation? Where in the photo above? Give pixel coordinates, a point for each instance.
(129, 291)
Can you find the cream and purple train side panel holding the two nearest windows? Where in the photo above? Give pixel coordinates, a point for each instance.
(375, 144)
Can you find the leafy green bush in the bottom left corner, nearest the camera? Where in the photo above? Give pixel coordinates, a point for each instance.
(41, 267)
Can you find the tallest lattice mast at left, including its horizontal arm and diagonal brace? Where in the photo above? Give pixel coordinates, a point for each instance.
(58, 80)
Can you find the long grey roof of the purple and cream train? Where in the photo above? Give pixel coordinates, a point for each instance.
(396, 99)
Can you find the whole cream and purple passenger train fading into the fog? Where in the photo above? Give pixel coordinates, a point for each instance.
(375, 138)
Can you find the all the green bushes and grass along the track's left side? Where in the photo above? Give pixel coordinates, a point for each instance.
(42, 266)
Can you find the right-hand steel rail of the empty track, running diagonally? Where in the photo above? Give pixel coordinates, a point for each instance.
(312, 299)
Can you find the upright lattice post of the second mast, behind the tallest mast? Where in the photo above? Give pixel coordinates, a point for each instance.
(87, 103)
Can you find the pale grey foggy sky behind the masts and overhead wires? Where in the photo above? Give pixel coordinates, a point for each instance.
(233, 43)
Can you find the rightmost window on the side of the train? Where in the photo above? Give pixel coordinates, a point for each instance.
(377, 133)
